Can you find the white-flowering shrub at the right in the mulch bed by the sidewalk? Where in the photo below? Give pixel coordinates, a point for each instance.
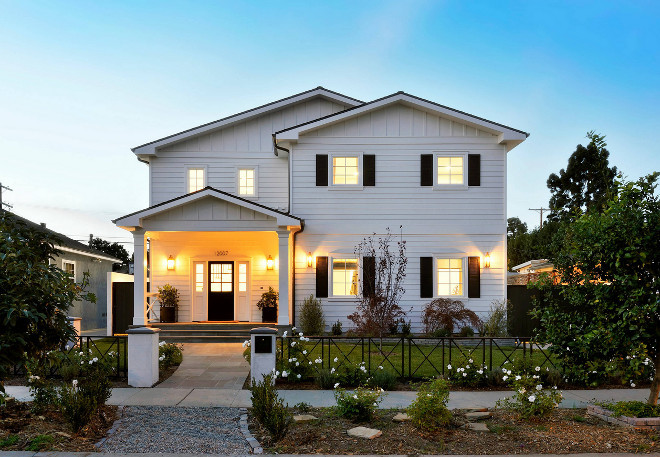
(530, 398)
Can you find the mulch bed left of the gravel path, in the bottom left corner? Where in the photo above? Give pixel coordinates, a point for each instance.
(23, 430)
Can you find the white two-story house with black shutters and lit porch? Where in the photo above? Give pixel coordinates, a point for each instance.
(281, 195)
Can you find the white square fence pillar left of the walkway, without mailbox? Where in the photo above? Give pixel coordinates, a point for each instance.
(143, 356)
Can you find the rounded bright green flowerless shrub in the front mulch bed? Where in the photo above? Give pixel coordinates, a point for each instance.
(429, 411)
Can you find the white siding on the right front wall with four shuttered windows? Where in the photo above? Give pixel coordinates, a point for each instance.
(465, 222)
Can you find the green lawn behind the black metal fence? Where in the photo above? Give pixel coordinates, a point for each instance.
(420, 357)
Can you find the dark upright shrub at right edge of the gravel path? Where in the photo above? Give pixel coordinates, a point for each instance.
(268, 408)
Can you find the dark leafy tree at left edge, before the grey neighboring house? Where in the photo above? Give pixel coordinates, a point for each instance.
(34, 296)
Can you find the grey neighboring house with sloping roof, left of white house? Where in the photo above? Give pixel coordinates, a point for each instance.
(77, 258)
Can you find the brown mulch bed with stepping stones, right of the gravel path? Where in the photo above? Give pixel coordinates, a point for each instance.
(565, 431)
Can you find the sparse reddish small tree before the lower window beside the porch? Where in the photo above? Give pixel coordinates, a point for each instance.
(381, 286)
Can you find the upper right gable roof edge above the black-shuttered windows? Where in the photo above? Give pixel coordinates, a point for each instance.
(506, 135)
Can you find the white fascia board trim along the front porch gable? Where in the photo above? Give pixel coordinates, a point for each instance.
(135, 219)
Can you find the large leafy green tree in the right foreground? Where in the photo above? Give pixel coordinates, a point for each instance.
(607, 306)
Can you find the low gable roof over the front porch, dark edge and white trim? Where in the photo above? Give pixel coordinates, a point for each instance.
(134, 219)
